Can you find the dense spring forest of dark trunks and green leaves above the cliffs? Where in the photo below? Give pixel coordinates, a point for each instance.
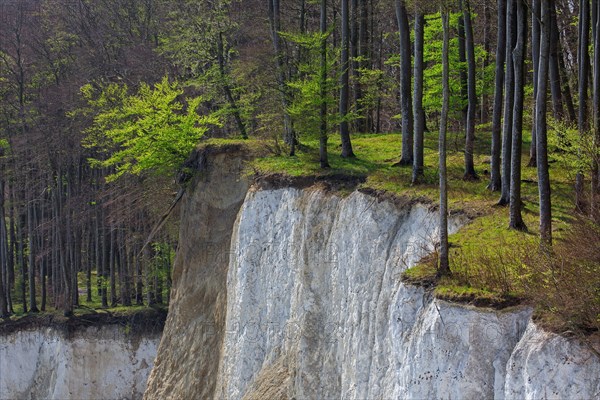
(103, 101)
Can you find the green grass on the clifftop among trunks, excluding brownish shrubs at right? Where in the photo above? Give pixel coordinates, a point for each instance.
(486, 256)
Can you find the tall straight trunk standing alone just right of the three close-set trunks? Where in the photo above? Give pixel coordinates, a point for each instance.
(540, 117)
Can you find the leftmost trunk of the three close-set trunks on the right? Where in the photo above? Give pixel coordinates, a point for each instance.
(495, 177)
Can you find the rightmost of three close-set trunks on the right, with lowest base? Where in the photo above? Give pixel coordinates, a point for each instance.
(518, 58)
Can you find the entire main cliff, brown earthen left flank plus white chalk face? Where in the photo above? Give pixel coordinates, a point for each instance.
(284, 292)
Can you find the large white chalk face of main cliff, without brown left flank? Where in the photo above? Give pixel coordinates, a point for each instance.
(316, 309)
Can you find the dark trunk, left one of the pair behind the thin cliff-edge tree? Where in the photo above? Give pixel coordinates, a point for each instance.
(405, 83)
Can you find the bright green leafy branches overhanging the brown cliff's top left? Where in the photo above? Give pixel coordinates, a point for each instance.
(151, 130)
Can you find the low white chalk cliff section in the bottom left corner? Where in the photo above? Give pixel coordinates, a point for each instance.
(97, 363)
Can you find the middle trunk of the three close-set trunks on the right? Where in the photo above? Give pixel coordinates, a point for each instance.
(509, 89)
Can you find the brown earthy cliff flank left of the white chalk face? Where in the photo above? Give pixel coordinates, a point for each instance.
(189, 354)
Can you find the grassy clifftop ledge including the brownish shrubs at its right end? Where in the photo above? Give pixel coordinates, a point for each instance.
(492, 266)
